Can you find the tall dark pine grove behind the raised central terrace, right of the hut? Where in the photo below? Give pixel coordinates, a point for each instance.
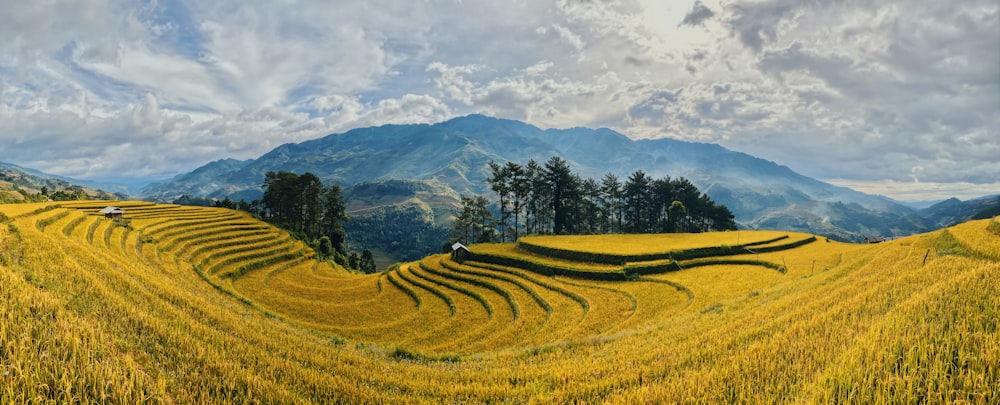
(550, 199)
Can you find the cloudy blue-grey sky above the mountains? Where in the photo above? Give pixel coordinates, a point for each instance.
(900, 98)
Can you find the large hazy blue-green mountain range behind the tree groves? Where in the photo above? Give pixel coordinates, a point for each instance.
(455, 153)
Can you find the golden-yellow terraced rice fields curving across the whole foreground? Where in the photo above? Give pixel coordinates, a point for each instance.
(181, 304)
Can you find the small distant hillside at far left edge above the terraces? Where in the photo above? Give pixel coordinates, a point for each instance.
(20, 184)
